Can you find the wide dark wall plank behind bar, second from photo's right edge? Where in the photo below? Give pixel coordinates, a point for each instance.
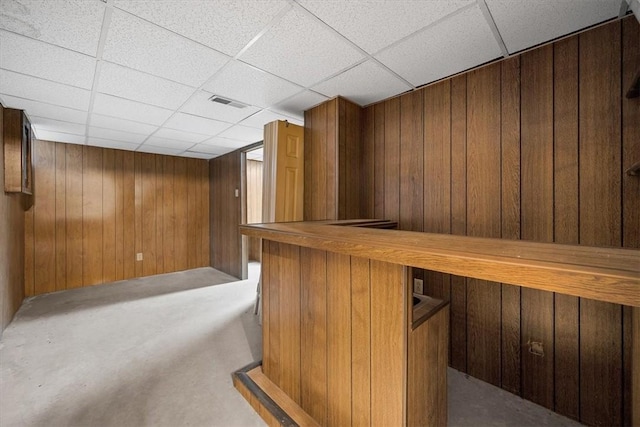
(600, 213)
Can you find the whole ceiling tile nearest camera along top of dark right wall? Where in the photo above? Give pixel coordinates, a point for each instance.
(453, 45)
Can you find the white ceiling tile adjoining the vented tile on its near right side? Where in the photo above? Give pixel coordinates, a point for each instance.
(244, 83)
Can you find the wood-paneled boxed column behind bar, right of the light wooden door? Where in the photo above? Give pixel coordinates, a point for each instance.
(332, 131)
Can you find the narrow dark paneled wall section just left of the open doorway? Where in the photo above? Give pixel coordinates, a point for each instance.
(226, 213)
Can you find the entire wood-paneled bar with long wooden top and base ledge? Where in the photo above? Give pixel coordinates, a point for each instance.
(342, 341)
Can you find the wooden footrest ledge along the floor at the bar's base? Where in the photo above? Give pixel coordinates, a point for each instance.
(268, 400)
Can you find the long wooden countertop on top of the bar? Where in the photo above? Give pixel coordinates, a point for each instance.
(604, 274)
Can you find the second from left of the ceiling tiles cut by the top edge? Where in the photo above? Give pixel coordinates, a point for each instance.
(236, 22)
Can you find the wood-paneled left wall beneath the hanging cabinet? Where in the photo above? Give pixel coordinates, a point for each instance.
(11, 246)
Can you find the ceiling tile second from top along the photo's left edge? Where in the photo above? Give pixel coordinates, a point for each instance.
(38, 59)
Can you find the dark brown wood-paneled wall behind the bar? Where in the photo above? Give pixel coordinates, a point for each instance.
(532, 147)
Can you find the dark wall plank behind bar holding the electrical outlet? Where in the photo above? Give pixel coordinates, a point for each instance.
(537, 219)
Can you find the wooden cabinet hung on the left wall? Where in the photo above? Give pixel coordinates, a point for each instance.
(17, 152)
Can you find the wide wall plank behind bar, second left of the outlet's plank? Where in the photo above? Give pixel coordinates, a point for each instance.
(483, 218)
